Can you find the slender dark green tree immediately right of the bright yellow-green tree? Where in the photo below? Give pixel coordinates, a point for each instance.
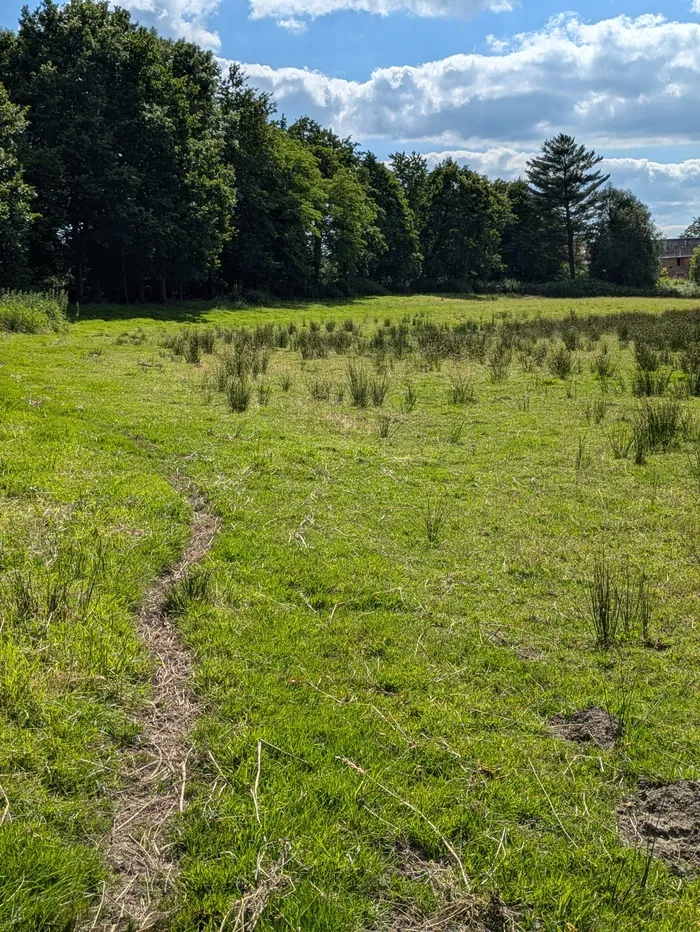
(394, 258)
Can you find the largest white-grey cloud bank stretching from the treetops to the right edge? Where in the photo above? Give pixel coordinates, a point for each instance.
(620, 81)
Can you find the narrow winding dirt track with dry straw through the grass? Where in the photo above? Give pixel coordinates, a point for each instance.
(139, 852)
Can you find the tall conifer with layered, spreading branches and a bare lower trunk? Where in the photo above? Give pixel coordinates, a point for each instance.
(565, 180)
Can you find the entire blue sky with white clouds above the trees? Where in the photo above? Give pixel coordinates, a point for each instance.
(482, 80)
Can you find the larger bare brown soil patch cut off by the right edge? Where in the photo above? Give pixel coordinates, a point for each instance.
(665, 820)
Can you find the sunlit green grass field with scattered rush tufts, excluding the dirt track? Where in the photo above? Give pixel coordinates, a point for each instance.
(376, 703)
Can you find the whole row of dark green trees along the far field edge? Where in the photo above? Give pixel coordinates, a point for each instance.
(132, 168)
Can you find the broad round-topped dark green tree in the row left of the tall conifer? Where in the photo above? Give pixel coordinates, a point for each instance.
(464, 217)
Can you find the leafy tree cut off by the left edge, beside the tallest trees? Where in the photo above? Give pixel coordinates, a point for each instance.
(16, 198)
